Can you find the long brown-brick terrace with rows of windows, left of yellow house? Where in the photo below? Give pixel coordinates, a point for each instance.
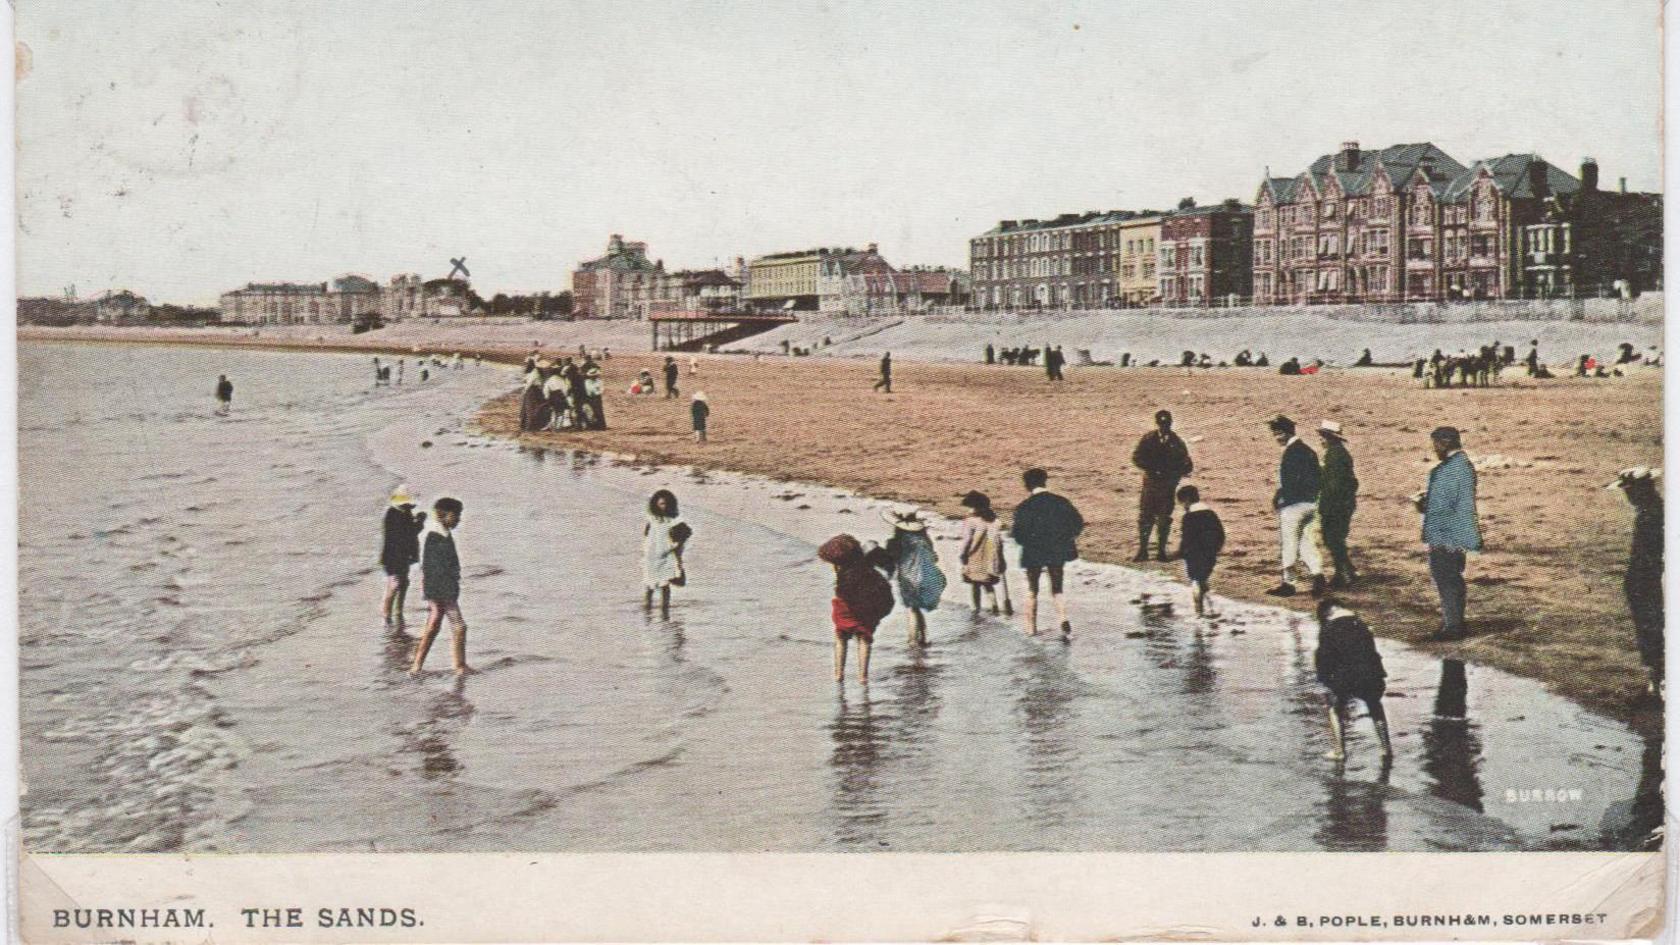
(1073, 261)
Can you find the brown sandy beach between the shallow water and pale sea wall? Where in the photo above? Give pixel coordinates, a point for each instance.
(1545, 598)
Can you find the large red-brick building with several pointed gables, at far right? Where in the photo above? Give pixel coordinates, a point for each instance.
(1410, 223)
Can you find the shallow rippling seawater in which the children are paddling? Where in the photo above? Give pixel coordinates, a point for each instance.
(204, 667)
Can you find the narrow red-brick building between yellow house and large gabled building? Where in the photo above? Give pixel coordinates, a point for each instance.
(1205, 255)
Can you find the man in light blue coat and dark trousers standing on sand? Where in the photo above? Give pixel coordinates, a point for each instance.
(1451, 527)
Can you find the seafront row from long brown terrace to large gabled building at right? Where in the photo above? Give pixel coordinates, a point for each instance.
(1397, 224)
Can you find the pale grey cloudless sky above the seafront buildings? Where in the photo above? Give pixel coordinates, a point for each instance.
(184, 149)
